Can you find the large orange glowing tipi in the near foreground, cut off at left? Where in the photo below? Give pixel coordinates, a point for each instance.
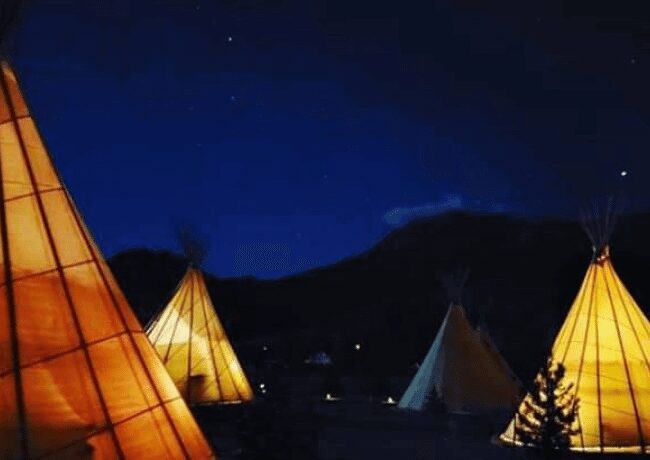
(78, 377)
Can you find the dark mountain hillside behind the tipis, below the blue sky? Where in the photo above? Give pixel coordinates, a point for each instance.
(524, 275)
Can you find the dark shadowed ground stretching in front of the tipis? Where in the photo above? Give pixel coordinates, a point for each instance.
(352, 431)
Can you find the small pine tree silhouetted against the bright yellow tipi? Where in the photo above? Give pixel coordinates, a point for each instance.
(548, 416)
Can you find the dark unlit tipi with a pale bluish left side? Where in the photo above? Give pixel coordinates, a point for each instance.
(461, 371)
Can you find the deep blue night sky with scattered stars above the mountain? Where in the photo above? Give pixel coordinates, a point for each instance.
(296, 133)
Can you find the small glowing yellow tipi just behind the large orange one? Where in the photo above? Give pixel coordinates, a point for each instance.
(193, 345)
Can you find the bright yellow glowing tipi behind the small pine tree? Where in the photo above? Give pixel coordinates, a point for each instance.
(604, 344)
